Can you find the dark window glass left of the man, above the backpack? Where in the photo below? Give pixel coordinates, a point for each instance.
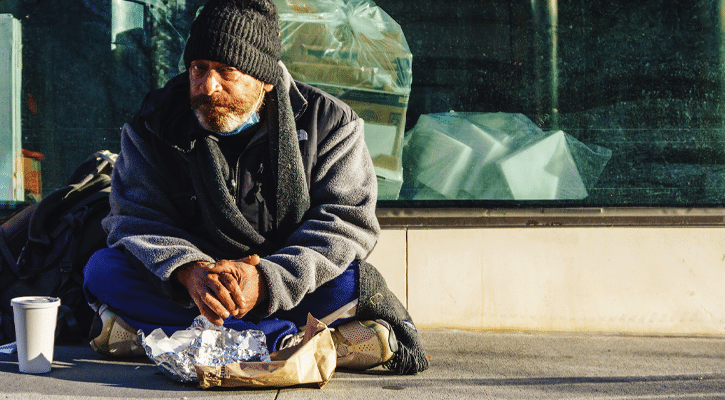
(86, 66)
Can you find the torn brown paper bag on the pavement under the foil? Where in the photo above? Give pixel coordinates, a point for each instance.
(309, 363)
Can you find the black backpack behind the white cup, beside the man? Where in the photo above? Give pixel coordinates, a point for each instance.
(44, 248)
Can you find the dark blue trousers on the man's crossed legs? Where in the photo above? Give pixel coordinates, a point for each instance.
(111, 279)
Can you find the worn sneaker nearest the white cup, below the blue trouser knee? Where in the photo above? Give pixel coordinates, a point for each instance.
(112, 336)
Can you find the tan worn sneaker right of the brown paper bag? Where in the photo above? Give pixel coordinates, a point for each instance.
(364, 344)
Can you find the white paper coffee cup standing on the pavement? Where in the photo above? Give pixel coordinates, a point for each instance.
(35, 320)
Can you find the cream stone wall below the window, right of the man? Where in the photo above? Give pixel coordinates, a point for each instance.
(662, 280)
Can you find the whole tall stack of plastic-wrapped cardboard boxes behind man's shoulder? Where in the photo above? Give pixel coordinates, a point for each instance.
(356, 52)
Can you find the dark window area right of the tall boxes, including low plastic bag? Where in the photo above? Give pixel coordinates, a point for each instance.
(642, 80)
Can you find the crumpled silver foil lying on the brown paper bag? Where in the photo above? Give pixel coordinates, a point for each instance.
(203, 343)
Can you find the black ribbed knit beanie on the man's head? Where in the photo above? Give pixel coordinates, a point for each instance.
(241, 33)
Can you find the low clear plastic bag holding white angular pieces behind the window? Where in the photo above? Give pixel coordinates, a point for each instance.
(497, 156)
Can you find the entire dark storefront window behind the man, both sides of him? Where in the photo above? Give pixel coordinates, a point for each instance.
(467, 103)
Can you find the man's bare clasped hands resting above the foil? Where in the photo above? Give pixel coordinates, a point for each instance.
(225, 288)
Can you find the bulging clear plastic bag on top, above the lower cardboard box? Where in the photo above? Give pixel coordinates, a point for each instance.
(351, 43)
